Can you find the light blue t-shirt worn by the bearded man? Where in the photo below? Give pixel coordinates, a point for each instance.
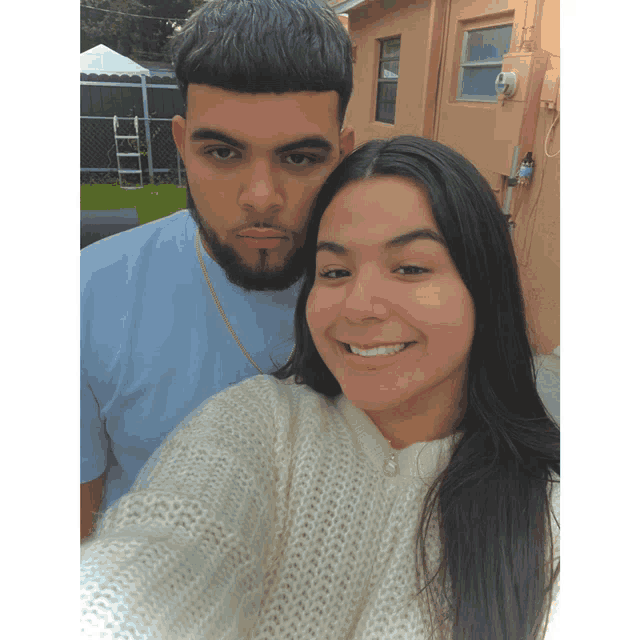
(154, 346)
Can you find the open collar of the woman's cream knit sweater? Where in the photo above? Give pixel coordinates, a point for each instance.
(421, 460)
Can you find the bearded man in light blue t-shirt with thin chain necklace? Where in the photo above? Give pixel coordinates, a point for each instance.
(176, 310)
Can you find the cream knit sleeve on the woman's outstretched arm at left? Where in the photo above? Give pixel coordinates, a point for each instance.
(182, 555)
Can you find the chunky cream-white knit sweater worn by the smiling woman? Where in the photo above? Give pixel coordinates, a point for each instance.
(265, 515)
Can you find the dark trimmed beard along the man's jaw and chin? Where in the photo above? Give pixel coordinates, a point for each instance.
(231, 262)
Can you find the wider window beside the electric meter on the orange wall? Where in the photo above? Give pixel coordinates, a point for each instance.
(481, 62)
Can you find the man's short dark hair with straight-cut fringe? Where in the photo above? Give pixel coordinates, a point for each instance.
(265, 46)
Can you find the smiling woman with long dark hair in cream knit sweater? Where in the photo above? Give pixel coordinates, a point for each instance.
(394, 479)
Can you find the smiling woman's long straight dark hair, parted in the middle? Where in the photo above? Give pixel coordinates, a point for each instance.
(491, 503)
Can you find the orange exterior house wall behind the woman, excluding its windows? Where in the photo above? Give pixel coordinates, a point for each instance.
(487, 133)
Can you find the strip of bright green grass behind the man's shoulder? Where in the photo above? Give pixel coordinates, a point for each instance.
(151, 202)
